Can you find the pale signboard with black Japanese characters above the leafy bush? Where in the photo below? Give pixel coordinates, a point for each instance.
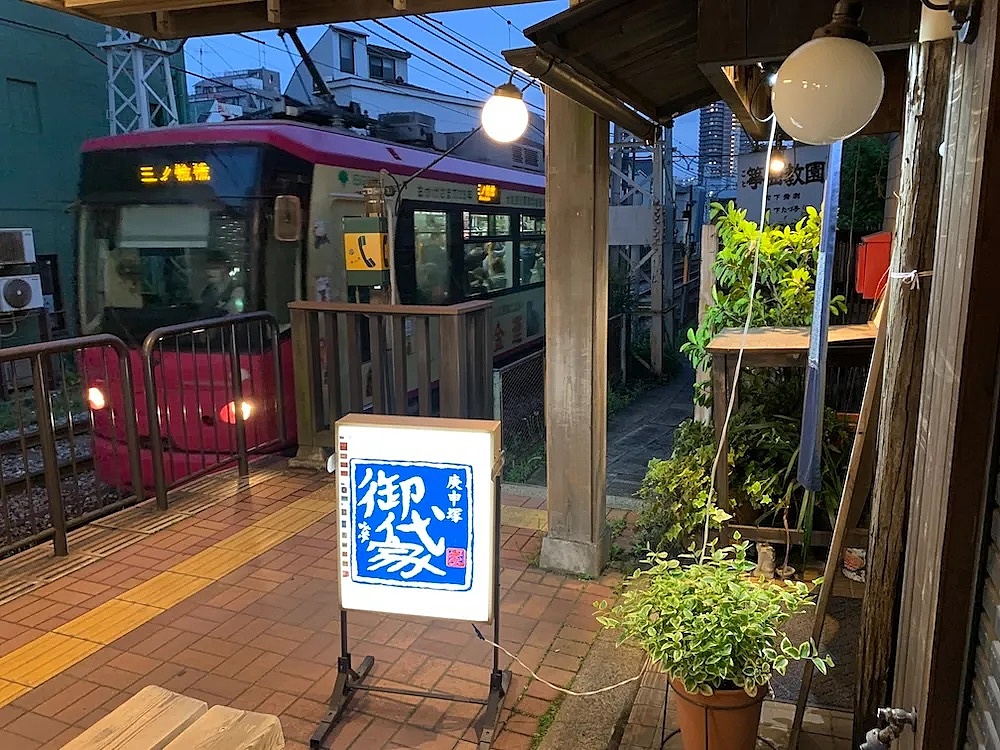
(790, 190)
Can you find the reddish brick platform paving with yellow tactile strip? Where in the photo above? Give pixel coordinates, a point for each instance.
(231, 597)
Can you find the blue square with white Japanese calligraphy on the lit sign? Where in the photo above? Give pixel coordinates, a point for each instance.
(411, 524)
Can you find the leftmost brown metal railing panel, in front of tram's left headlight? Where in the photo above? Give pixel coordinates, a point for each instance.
(48, 485)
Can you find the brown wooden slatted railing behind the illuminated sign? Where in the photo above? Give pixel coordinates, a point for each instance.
(389, 359)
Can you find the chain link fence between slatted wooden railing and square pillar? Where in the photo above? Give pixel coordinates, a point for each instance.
(519, 404)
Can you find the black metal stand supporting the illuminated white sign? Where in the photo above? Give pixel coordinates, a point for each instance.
(350, 681)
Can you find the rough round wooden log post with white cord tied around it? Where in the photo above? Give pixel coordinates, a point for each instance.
(906, 327)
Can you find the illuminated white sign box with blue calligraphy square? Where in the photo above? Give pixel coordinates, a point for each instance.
(417, 515)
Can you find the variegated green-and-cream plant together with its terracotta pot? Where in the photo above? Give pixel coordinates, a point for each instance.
(717, 634)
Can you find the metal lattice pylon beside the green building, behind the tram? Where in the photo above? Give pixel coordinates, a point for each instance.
(140, 82)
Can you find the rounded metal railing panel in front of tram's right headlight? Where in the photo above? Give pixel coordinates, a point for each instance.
(185, 420)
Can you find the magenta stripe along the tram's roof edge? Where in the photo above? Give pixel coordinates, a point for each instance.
(328, 147)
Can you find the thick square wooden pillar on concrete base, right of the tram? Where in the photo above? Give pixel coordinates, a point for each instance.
(576, 331)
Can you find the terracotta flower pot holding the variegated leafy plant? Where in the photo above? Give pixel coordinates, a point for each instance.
(730, 717)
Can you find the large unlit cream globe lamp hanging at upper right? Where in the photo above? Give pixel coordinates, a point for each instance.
(830, 87)
